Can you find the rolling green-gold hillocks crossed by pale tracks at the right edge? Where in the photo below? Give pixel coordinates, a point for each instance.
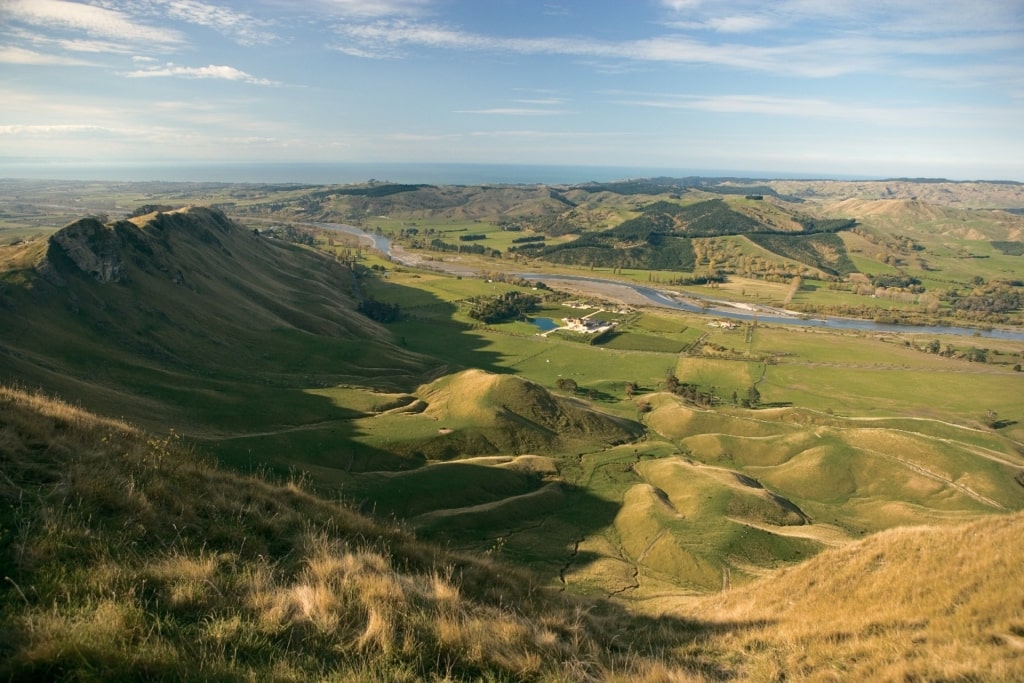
(862, 476)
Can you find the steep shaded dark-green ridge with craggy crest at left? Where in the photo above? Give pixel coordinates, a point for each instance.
(185, 318)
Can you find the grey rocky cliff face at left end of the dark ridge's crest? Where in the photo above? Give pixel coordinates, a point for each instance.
(91, 246)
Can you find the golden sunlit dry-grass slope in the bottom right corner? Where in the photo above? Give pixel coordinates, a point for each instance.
(920, 604)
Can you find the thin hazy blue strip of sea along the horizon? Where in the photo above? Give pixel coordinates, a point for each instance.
(324, 174)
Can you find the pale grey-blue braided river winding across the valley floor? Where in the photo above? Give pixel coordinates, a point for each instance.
(670, 300)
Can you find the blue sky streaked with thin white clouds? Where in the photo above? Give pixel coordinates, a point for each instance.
(823, 89)
